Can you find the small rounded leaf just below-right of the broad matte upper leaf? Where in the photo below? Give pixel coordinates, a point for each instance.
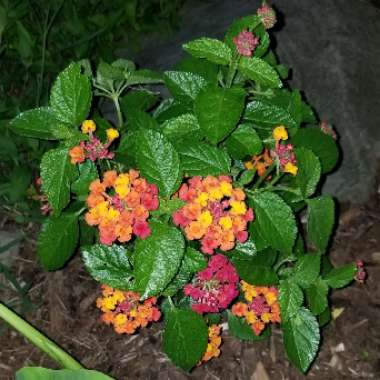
(244, 141)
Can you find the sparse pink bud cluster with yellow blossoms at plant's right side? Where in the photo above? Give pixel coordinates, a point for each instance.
(284, 152)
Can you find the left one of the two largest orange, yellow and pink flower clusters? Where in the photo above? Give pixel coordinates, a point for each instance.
(120, 206)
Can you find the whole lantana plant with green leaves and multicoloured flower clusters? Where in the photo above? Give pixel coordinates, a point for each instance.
(202, 209)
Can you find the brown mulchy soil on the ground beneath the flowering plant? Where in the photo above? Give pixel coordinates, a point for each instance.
(65, 311)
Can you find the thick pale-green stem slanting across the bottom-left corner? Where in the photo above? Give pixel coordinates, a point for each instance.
(38, 339)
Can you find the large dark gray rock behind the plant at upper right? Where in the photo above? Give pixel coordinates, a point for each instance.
(333, 48)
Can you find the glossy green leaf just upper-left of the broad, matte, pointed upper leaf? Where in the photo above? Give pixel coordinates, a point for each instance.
(184, 86)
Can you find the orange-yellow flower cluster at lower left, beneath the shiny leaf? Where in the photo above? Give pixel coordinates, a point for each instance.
(124, 310)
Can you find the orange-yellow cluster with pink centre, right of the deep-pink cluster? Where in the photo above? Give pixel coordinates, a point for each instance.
(262, 307)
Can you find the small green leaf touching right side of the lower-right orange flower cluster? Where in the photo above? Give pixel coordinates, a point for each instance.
(291, 298)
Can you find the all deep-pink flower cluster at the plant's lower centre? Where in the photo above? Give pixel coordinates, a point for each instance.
(215, 287)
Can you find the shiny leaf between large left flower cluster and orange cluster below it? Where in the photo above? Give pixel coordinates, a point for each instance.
(108, 265)
